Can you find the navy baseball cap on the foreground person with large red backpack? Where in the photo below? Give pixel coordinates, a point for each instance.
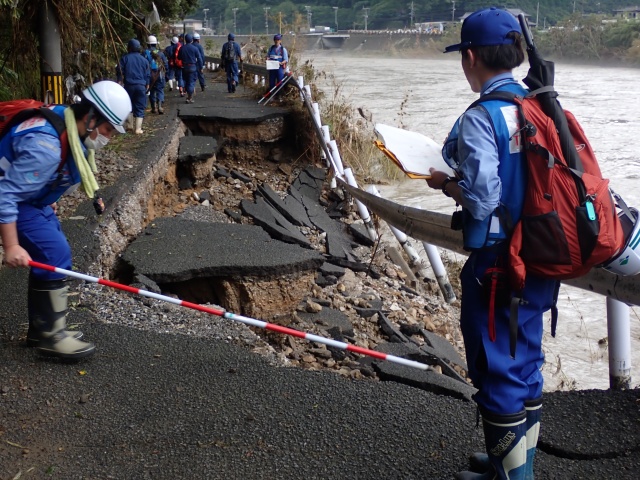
(486, 27)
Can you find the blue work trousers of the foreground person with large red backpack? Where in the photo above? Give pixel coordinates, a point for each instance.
(504, 383)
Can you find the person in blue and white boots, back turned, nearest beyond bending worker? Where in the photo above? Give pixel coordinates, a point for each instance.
(134, 73)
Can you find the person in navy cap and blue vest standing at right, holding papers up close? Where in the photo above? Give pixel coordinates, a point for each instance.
(490, 182)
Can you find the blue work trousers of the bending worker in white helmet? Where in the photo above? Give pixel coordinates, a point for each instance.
(39, 233)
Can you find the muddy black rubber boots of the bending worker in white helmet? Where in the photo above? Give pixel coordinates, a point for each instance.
(47, 321)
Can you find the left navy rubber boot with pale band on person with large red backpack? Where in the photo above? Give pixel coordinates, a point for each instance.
(506, 442)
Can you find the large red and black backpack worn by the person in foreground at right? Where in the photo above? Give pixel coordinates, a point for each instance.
(569, 222)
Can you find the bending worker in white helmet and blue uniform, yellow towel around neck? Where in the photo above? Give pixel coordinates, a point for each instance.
(32, 179)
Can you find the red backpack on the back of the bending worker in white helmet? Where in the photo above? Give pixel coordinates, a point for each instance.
(14, 112)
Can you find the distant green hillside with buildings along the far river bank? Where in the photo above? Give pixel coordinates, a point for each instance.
(255, 16)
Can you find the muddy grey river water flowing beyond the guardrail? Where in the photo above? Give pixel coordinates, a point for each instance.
(427, 95)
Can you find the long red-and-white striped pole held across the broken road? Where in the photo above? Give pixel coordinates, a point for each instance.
(238, 318)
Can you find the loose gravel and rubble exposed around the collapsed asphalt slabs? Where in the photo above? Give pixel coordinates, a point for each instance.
(357, 295)
